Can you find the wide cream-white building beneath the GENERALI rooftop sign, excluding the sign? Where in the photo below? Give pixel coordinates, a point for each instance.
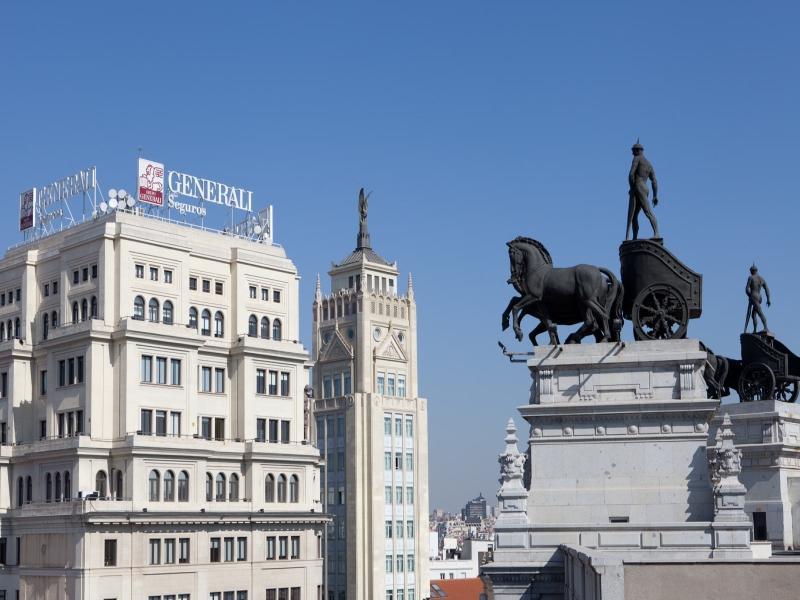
(152, 418)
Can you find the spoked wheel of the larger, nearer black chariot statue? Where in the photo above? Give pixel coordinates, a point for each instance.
(660, 313)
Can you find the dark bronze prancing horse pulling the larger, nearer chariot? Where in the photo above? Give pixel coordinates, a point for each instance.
(562, 296)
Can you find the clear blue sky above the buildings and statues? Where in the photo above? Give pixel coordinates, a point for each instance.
(471, 122)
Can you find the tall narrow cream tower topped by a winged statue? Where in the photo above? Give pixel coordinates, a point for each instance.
(371, 428)
